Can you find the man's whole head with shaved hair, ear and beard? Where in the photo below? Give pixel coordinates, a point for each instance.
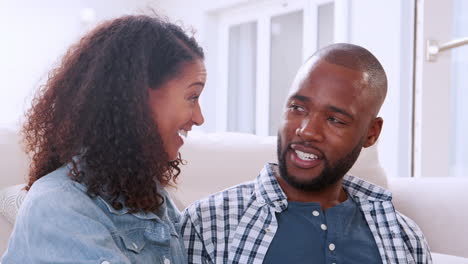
(329, 116)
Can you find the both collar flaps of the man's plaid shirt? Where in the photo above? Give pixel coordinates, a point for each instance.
(268, 191)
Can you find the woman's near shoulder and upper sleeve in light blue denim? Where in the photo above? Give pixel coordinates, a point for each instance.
(57, 209)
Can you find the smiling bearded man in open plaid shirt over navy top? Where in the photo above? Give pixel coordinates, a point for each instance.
(305, 209)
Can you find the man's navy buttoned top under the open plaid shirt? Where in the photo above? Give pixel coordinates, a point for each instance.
(306, 234)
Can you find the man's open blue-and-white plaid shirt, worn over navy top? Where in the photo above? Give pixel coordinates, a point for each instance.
(237, 225)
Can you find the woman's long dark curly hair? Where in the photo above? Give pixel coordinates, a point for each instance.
(94, 112)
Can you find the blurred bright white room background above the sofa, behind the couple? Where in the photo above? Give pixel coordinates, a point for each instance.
(253, 49)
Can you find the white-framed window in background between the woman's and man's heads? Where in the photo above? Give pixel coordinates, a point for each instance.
(265, 44)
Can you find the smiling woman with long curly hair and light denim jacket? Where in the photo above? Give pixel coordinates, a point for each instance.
(104, 134)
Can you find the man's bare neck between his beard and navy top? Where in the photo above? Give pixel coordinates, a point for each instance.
(327, 198)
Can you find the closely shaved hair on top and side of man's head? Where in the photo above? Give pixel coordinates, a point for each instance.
(358, 59)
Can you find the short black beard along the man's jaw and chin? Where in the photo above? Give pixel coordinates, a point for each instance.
(329, 176)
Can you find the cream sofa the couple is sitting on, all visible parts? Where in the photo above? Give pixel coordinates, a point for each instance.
(216, 161)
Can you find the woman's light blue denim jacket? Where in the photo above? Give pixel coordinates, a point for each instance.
(59, 223)
